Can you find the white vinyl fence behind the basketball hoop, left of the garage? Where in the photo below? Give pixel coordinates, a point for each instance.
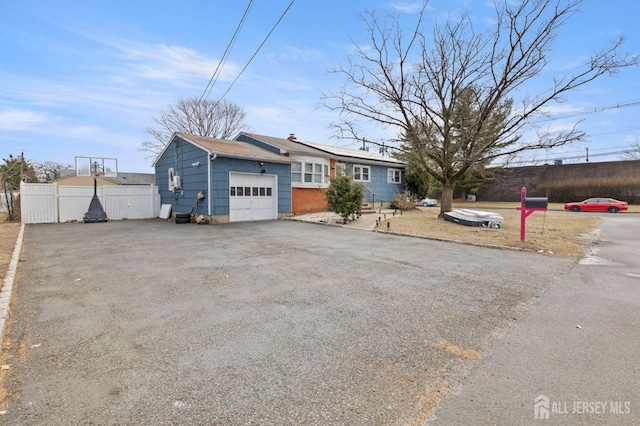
(50, 203)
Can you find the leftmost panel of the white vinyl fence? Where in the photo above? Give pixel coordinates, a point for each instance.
(38, 202)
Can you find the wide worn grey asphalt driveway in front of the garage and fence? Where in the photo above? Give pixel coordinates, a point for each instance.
(150, 322)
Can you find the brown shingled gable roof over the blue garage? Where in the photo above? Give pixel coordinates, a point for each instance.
(229, 149)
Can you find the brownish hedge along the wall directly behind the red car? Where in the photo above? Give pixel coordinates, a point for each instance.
(621, 188)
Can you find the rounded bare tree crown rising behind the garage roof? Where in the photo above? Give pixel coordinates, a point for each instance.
(214, 119)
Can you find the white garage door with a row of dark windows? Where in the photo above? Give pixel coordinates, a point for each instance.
(252, 197)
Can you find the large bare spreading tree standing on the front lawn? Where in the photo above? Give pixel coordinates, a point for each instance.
(415, 84)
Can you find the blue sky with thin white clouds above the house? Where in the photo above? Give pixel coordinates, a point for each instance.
(85, 78)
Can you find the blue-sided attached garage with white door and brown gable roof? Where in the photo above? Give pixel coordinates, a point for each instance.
(231, 181)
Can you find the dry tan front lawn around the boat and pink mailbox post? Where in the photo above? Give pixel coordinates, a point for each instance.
(557, 232)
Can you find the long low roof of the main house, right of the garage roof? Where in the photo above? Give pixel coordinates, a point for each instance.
(297, 146)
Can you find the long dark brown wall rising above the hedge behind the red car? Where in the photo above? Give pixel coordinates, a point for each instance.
(507, 183)
